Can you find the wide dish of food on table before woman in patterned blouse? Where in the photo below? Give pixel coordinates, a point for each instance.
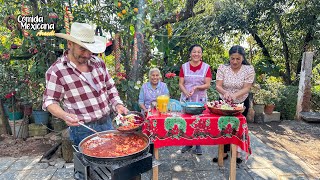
(227, 109)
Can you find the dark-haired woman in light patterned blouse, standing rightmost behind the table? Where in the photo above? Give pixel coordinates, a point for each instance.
(233, 82)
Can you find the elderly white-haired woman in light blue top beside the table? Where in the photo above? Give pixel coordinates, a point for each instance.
(152, 89)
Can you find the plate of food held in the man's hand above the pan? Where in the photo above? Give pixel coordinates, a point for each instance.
(129, 122)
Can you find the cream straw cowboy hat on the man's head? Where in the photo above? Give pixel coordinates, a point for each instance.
(83, 35)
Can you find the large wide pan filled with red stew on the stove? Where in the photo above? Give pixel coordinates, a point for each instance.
(113, 145)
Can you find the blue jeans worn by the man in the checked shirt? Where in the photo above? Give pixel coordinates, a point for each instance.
(78, 133)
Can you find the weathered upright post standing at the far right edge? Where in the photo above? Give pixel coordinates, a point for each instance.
(304, 93)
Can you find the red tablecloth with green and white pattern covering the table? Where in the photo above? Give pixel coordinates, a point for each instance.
(204, 129)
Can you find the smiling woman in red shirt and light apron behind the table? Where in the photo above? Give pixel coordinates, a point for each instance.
(194, 80)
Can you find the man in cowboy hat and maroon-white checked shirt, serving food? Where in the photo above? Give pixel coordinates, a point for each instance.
(81, 83)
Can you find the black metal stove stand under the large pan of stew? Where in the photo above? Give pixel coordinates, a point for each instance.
(113, 170)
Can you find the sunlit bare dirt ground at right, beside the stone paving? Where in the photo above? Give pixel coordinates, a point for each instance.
(298, 137)
